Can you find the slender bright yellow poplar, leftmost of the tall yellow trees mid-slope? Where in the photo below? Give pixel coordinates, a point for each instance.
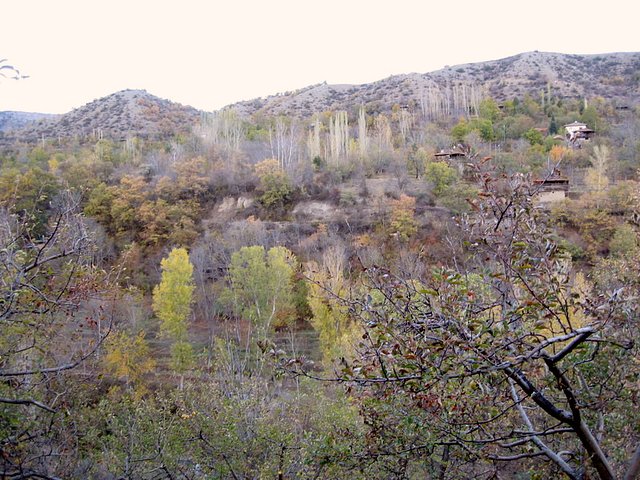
(172, 299)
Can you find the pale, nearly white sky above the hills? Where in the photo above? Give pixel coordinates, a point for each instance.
(209, 54)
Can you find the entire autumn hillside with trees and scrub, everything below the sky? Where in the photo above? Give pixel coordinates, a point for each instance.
(363, 287)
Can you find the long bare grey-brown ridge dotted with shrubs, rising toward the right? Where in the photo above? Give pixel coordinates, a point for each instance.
(615, 76)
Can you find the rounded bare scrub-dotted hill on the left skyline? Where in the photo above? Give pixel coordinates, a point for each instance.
(128, 112)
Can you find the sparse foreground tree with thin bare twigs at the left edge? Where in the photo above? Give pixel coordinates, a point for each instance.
(54, 316)
